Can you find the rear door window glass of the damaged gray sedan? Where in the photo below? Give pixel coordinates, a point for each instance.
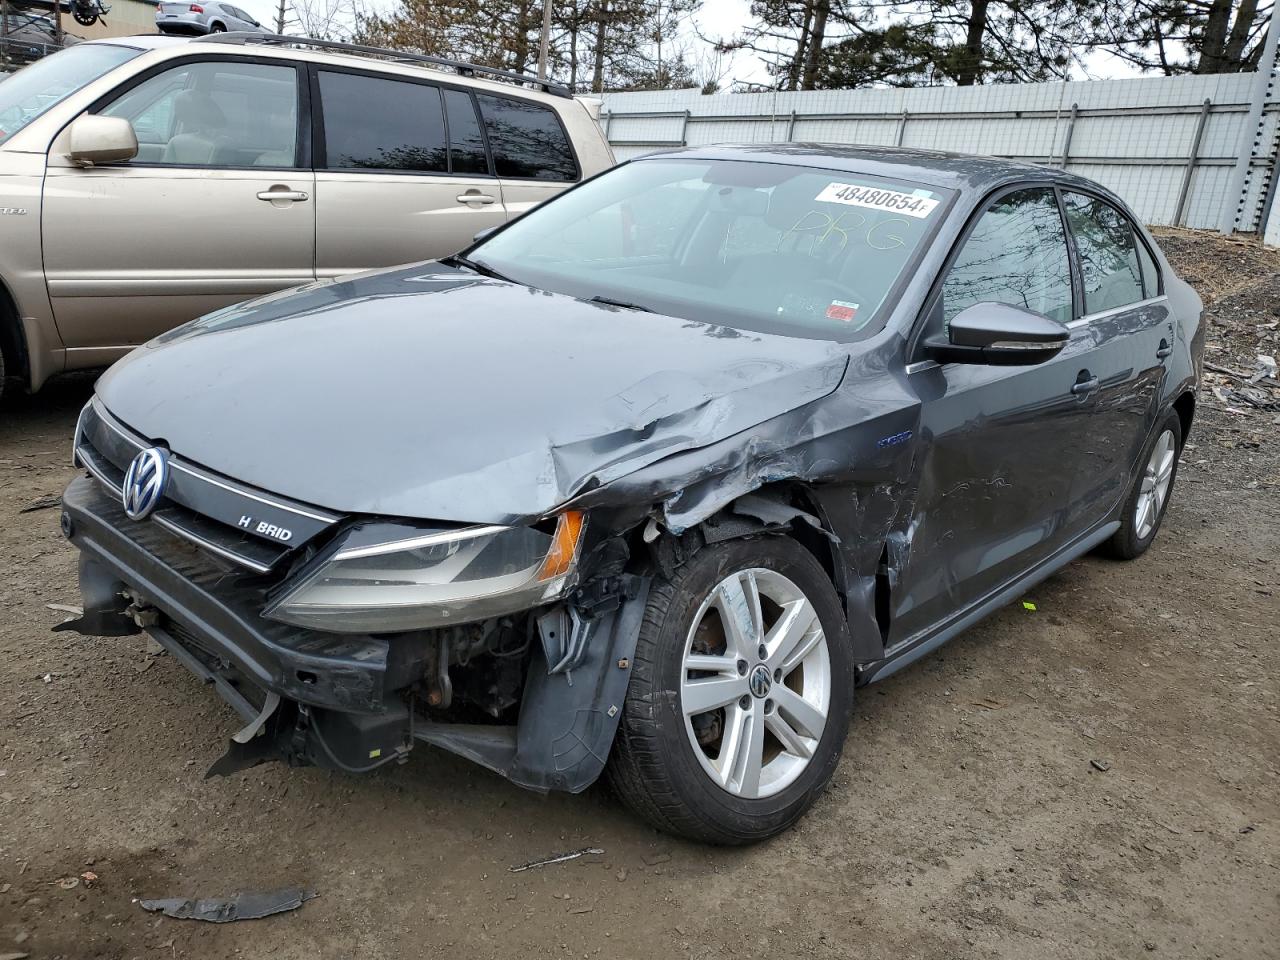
(1108, 250)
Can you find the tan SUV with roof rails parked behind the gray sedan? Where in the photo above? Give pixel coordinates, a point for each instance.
(148, 181)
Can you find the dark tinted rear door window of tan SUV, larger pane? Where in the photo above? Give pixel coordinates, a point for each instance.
(373, 124)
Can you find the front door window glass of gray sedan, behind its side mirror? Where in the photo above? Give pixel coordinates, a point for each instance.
(1016, 255)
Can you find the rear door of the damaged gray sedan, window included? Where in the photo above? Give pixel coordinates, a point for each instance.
(1131, 330)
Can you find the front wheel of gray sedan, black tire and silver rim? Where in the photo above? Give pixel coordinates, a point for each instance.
(740, 694)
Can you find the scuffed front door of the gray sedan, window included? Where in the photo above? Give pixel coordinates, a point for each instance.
(1000, 446)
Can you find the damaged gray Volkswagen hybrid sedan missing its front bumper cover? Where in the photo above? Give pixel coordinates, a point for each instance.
(650, 481)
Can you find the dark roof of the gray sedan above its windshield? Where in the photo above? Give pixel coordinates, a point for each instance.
(938, 168)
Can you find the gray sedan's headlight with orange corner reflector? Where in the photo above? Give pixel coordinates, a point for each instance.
(456, 577)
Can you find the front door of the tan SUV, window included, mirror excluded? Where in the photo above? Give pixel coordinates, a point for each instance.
(214, 209)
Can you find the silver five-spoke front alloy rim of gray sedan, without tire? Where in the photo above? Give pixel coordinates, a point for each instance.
(756, 683)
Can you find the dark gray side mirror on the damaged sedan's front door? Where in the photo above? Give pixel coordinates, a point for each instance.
(1000, 336)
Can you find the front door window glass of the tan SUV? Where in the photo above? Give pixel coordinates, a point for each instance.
(216, 115)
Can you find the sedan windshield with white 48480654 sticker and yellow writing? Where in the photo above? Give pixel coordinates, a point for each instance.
(758, 246)
